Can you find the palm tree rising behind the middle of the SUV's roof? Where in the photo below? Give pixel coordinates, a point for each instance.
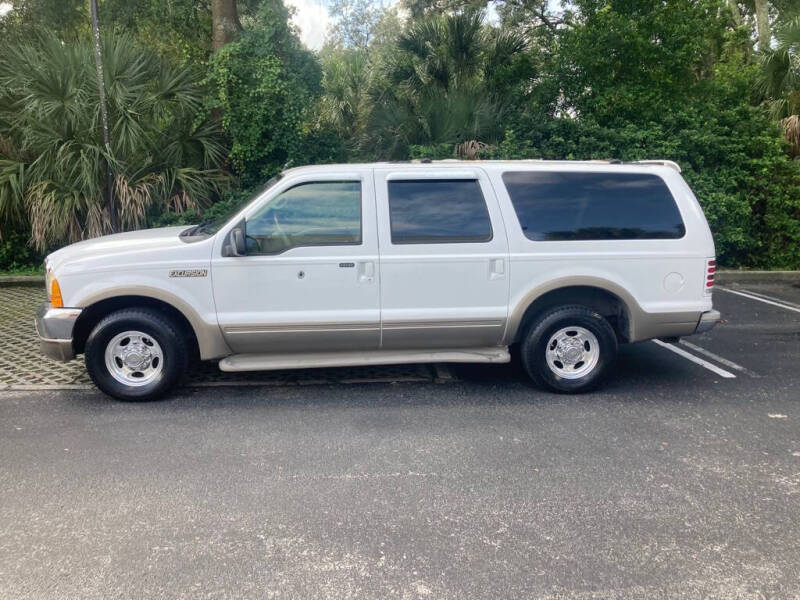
(439, 86)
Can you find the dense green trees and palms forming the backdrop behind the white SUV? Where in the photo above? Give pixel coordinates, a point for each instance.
(622, 79)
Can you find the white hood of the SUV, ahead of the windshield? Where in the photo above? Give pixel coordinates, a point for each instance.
(118, 245)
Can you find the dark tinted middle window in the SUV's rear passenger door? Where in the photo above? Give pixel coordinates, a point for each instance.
(438, 211)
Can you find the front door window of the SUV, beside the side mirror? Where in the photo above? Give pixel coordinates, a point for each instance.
(323, 213)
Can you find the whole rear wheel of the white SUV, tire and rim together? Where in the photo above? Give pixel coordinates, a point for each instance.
(569, 349)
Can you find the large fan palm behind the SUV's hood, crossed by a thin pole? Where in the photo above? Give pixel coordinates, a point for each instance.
(52, 156)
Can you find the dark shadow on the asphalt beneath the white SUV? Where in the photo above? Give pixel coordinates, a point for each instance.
(643, 373)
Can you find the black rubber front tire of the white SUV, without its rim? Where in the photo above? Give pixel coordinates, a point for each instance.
(158, 327)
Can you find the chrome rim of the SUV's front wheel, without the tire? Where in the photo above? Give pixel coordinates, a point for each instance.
(134, 358)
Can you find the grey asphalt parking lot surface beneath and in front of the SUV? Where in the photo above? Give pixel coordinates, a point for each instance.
(679, 479)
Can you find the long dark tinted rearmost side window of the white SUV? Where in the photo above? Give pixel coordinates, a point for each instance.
(593, 206)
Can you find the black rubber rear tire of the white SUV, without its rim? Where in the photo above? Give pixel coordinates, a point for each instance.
(533, 350)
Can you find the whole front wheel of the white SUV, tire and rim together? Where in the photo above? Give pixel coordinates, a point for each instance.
(136, 355)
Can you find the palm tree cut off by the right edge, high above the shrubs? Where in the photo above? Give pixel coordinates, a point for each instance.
(780, 81)
